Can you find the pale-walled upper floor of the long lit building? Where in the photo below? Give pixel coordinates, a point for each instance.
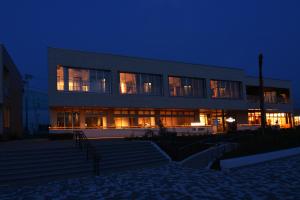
(89, 79)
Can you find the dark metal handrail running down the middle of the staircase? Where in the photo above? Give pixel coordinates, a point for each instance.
(84, 145)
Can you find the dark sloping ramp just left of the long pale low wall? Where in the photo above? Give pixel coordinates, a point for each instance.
(204, 158)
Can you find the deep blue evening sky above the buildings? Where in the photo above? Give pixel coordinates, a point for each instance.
(226, 33)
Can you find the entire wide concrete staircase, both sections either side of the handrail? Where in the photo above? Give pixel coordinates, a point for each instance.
(43, 161)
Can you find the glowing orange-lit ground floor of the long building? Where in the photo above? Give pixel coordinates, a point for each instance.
(216, 120)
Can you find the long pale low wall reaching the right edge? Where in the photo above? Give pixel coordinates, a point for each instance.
(258, 158)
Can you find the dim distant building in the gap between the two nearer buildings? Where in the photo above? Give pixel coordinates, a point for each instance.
(36, 111)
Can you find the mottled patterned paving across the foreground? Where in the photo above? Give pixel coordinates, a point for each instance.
(278, 179)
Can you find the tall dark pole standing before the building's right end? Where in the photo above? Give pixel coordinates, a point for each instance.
(262, 98)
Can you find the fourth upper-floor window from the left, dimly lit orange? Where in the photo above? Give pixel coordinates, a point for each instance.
(226, 89)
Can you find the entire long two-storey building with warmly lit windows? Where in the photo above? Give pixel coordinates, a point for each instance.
(95, 91)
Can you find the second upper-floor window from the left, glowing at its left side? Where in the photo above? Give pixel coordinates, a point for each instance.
(136, 83)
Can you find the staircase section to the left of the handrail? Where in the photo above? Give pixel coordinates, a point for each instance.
(35, 165)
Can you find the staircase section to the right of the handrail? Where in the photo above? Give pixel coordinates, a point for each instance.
(120, 155)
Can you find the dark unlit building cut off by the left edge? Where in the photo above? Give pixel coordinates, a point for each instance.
(11, 87)
